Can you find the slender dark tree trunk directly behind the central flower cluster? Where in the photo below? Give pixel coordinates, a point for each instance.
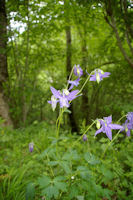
(69, 68)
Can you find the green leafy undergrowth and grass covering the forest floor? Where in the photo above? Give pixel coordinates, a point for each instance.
(71, 170)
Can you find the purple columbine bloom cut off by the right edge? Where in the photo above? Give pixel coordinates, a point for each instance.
(128, 125)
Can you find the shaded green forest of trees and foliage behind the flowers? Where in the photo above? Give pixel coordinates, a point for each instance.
(40, 41)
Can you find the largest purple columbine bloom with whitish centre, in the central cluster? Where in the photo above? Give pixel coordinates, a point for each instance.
(65, 97)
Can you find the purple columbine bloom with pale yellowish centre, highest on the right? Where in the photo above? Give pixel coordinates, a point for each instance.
(99, 75)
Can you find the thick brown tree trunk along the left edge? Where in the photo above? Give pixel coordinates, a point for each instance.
(4, 109)
